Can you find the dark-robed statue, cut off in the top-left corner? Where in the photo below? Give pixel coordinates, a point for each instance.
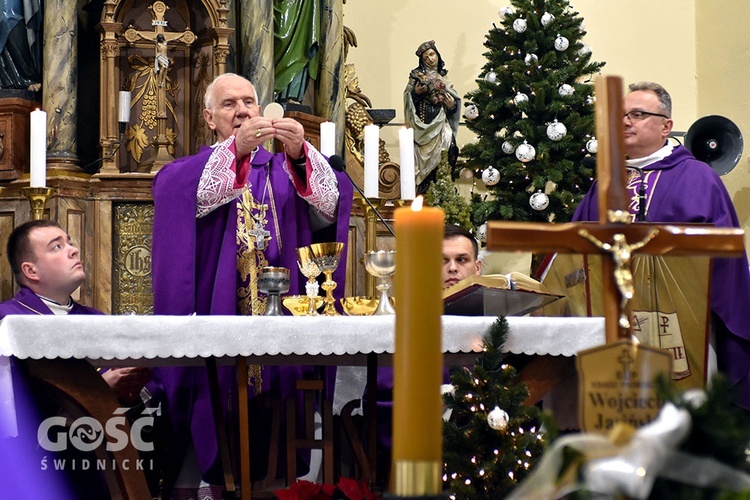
(20, 44)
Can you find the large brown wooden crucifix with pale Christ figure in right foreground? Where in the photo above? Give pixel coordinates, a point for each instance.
(614, 234)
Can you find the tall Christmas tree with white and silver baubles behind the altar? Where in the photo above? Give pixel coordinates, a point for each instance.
(533, 115)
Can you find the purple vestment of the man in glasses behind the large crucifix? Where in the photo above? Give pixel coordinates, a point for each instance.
(681, 189)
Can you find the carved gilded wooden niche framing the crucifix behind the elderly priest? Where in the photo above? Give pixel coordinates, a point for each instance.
(166, 109)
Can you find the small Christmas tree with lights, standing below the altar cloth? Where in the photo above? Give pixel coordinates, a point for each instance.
(493, 438)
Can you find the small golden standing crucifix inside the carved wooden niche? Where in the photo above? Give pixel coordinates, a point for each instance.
(161, 39)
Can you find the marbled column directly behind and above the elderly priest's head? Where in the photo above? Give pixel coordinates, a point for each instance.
(255, 37)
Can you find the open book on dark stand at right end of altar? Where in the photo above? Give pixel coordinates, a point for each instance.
(512, 294)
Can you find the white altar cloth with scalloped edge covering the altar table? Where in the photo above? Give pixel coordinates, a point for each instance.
(342, 341)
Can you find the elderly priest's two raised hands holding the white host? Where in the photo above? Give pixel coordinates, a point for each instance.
(253, 132)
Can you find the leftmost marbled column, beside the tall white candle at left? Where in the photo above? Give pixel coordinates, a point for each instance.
(60, 82)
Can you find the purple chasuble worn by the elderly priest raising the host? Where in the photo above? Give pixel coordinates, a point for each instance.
(194, 270)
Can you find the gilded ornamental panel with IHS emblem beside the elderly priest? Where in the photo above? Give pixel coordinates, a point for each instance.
(132, 291)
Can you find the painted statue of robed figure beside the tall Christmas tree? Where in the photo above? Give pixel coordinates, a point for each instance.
(431, 107)
